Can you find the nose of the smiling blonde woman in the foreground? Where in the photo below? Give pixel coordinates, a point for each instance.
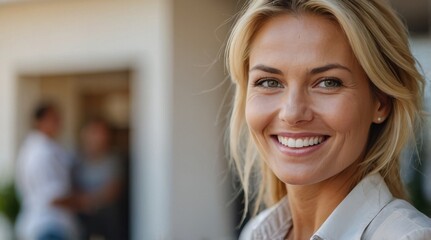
(295, 107)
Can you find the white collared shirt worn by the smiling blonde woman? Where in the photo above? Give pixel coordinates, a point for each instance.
(368, 212)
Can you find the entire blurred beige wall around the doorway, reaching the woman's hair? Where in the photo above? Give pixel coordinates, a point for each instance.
(178, 157)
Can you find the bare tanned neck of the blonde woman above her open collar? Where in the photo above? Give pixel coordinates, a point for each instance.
(311, 205)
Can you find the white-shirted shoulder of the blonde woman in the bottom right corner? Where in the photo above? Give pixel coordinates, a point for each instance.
(399, 220)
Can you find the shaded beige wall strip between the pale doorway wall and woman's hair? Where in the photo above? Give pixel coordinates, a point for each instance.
(200, 192)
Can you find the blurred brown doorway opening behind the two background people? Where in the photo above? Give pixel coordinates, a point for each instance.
(80, 98)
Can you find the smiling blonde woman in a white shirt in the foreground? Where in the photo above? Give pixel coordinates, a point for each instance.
(327, 95)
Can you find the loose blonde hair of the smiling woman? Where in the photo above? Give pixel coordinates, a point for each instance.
(379, 41)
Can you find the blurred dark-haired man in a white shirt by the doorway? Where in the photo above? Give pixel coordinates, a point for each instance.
(43, 182)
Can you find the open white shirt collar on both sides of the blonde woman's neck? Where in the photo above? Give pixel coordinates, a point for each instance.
(348, 221)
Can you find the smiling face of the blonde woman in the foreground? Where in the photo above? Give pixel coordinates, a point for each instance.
(309, 104)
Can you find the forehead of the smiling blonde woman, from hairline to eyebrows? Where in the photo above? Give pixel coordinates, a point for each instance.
(301, 37)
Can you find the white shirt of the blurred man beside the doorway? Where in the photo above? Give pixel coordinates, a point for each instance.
(43, 175)
